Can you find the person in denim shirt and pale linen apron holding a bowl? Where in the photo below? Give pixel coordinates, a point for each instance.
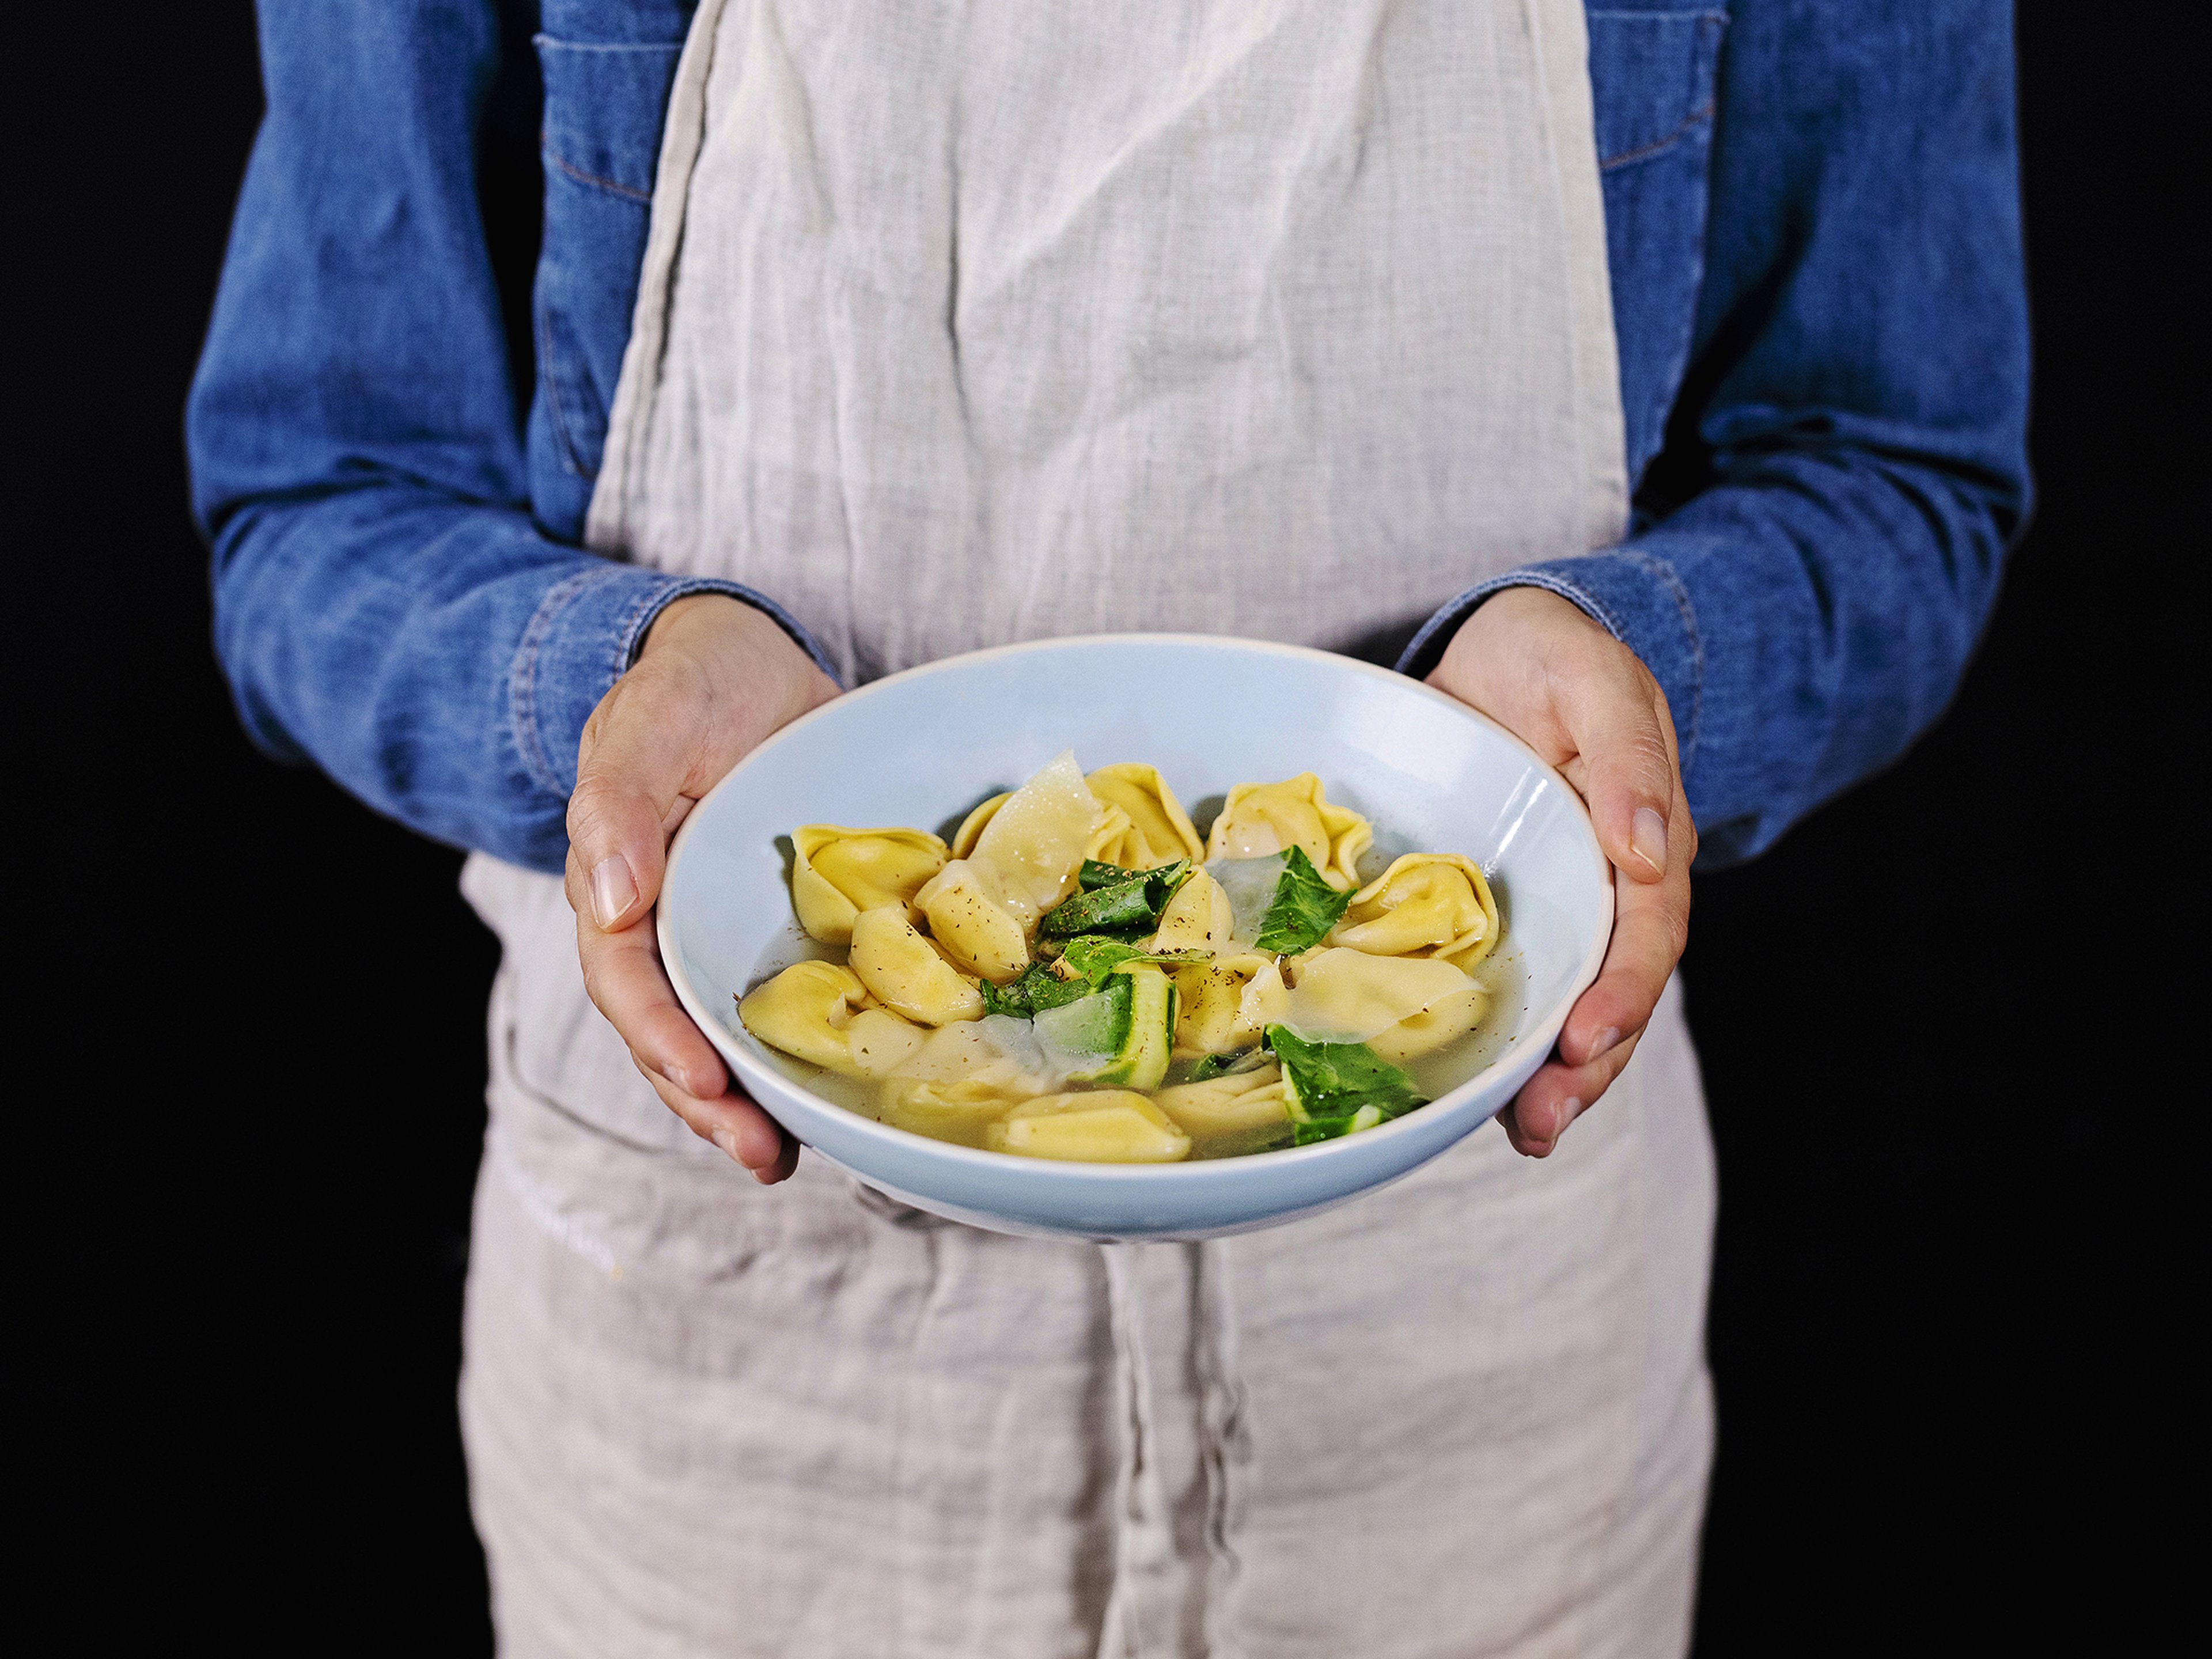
(1658, 371)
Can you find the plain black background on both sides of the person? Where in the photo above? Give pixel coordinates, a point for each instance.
(1943, 1056)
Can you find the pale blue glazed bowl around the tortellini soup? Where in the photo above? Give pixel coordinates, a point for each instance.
(924, 747)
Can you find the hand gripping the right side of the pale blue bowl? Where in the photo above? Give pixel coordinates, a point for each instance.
(1574, 693)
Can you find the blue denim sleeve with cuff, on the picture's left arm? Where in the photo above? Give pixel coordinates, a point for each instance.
(384, 601)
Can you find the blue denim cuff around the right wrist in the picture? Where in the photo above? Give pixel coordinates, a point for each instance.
(1629, 594)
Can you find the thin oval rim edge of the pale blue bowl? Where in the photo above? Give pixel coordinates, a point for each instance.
(1056, 1171)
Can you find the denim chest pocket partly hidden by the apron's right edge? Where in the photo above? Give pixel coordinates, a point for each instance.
(1653, 83)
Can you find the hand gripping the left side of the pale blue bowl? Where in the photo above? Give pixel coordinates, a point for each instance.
(713, 680)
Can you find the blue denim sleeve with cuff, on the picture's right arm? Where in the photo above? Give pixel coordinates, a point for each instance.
(1819, 545)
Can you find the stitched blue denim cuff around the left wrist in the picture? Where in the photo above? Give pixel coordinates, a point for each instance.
(583, 638)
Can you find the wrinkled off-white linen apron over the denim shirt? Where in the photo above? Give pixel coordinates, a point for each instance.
(979, 324)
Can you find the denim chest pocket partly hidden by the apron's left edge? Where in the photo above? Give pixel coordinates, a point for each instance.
(605, 107)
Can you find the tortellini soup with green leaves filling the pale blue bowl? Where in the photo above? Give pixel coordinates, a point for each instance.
(1085, 977)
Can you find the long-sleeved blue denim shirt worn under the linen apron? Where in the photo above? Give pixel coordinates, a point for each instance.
(1815, 247)
